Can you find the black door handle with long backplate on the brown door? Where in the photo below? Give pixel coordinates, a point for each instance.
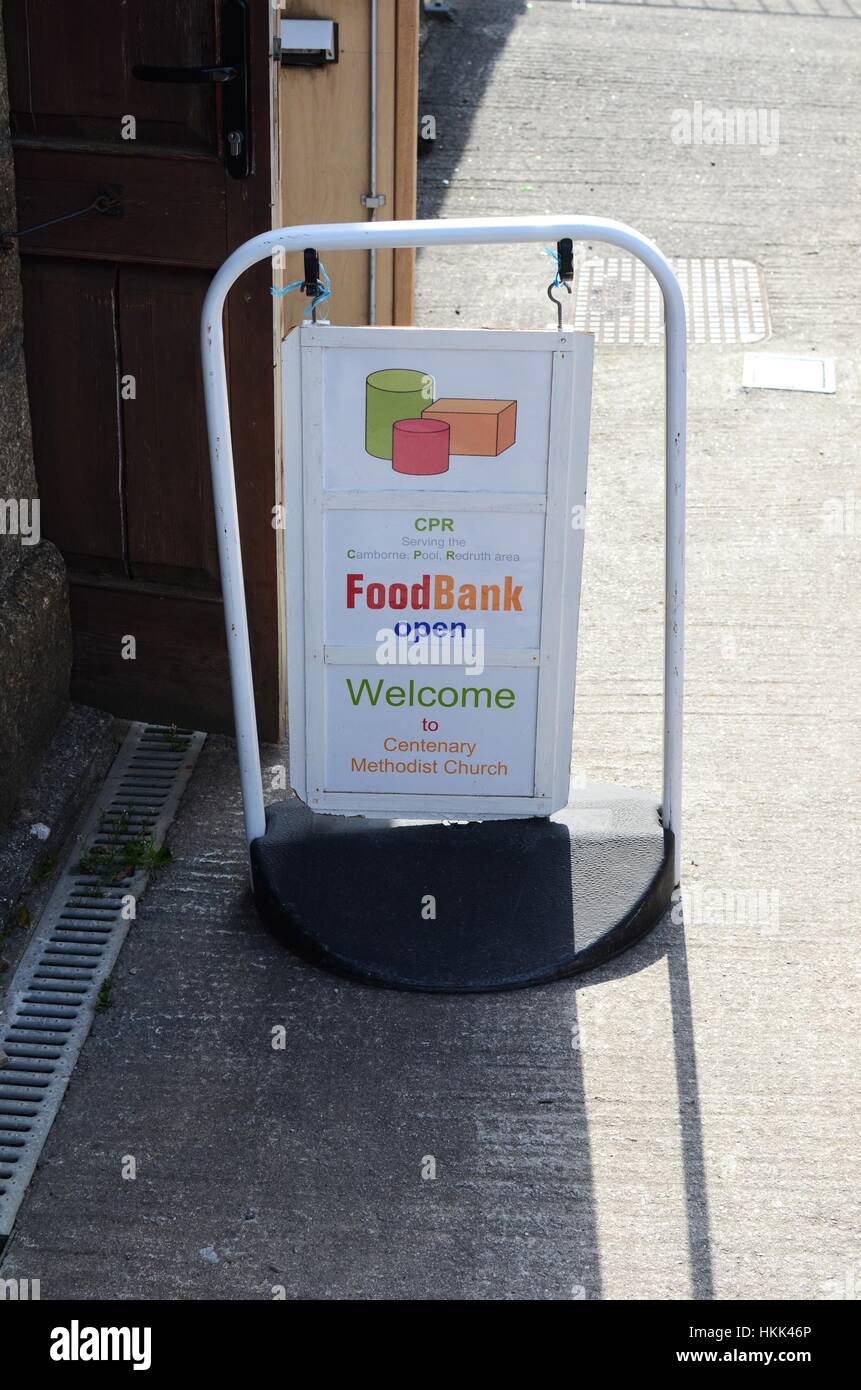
(233, 73)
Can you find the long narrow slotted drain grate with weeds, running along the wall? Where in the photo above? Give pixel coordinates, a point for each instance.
(76, 945)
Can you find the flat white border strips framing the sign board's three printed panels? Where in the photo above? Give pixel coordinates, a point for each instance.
(309, 501)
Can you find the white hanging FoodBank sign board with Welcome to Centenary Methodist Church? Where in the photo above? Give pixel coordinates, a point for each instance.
(436, 502)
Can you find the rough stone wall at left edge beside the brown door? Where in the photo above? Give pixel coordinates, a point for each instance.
(35, 636)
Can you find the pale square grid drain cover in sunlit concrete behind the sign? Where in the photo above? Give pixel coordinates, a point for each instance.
(618, 301)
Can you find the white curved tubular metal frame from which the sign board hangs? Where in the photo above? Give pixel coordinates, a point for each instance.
(365, 237)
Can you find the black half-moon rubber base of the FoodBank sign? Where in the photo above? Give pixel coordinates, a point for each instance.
(515, 903)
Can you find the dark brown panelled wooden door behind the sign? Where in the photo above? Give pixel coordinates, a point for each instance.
(123, 464)
